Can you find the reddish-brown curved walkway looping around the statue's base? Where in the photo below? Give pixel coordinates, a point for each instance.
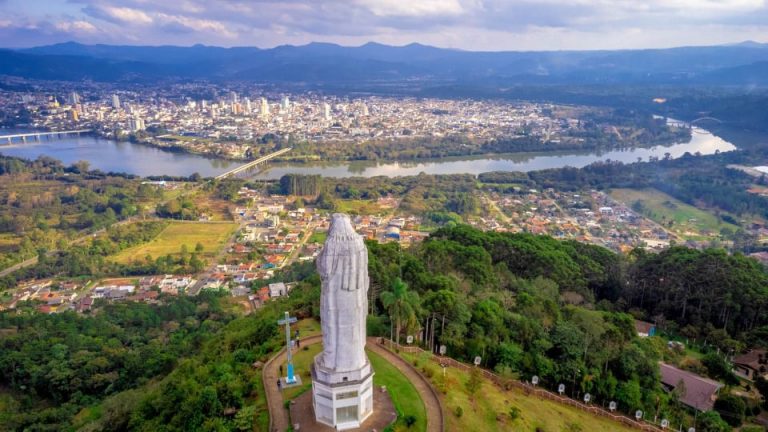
(278, 415)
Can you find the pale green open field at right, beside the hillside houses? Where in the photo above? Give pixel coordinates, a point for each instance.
(687, 221)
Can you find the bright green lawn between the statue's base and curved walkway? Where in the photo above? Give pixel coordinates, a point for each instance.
(404, 395)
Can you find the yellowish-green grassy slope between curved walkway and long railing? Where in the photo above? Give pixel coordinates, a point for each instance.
(488, 410)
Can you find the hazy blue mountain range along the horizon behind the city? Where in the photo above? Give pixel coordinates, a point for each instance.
(377, 63)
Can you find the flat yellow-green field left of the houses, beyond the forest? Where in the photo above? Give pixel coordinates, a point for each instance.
(212, 236)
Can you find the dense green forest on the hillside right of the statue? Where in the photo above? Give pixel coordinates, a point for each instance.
(531, 305)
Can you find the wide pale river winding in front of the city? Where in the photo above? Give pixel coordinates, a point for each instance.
(108, 155)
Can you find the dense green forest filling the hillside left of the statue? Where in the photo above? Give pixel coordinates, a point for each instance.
(179, 366)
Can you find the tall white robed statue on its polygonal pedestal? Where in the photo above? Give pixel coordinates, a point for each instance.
(342, 377)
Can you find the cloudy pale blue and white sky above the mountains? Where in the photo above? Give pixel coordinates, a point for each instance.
(488, 25)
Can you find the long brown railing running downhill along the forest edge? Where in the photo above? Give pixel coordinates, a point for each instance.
(528, 389)
